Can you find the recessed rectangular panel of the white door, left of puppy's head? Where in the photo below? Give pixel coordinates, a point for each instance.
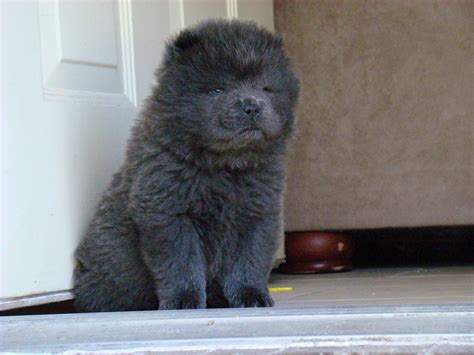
(87, 51)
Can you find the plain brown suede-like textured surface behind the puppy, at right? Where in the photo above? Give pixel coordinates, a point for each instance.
(386, 132)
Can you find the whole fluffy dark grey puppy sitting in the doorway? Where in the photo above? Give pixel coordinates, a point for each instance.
(192, 217)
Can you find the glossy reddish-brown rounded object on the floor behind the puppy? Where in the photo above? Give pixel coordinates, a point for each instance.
(312, 252)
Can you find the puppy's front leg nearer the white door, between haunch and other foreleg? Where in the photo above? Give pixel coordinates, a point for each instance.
(173, 254)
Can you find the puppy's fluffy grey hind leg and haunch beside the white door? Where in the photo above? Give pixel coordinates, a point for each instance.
(110, 274)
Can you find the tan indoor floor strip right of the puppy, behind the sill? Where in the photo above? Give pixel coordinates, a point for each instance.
(377, 286)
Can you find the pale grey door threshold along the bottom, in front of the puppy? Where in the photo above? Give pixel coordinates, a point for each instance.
(408, 328)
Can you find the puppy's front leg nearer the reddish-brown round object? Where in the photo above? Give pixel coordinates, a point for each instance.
(246, 283)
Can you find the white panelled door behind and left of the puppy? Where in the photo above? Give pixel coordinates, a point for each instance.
(74, 75)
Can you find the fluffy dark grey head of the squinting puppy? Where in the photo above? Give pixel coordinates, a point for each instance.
(228, 86)
